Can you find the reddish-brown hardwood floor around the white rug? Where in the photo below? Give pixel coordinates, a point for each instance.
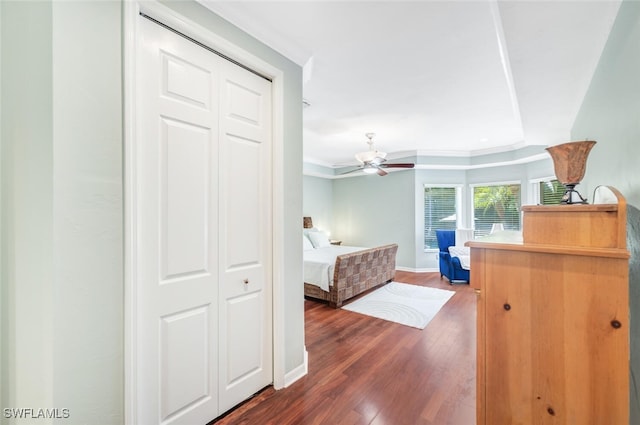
(364, 370)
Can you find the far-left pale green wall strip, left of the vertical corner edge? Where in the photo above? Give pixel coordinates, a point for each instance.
(27, 201)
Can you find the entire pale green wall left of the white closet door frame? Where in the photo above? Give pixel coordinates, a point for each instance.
(62, 245)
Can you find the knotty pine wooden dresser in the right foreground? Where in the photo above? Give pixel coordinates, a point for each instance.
(553, 318)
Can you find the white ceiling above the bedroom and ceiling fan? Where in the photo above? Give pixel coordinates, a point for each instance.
(450, 78)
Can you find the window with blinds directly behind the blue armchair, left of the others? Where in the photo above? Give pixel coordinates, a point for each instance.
(441, 205)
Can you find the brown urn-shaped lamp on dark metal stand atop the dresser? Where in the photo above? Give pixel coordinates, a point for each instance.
(570, 163)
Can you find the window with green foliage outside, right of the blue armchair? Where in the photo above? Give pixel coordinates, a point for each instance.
(496, 204)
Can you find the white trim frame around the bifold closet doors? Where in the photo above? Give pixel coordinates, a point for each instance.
(131, 10)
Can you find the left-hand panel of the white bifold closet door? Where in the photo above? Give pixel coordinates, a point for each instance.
(177, 209)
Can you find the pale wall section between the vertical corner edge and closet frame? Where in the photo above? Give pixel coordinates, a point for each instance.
(86, 300)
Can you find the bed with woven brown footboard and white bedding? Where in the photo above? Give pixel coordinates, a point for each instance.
(336, 273)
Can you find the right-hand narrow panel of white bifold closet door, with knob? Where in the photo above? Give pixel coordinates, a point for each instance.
(245, 235)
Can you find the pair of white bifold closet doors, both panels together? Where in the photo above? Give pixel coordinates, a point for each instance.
(203, 228)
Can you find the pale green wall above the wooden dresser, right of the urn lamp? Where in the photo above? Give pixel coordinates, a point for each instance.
(610, 113)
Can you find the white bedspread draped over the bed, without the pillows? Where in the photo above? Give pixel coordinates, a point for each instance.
(319, 264)
